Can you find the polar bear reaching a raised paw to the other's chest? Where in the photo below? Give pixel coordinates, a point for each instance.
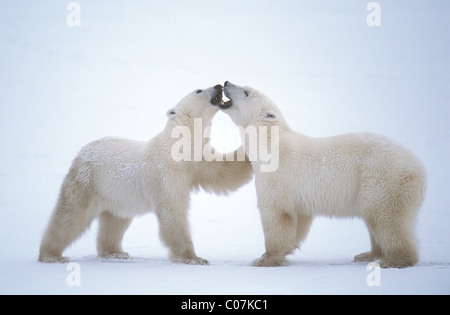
(117, 179)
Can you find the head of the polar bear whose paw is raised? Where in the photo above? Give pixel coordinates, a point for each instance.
(196, 104)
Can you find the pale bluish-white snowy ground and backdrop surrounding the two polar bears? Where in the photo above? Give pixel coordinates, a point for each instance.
(117, 74)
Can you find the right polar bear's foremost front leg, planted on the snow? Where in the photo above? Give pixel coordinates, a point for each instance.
(280, 235)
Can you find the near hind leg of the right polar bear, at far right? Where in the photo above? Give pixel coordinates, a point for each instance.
(391, 218)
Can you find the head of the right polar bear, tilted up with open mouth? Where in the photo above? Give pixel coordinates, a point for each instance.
(247, 106)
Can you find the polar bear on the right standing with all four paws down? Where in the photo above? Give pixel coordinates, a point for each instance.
(354, 175)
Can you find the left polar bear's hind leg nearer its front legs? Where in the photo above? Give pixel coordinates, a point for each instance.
(110, 236)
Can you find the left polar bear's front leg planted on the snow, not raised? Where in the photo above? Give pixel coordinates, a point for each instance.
(174, 231)
